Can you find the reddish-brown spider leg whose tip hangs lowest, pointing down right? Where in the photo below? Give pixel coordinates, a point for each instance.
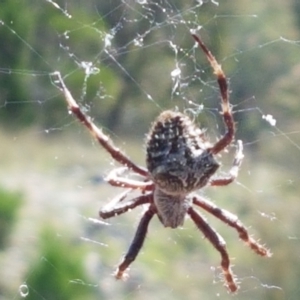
(220, 245)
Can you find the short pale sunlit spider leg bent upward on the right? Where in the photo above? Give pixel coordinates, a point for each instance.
(233, 173)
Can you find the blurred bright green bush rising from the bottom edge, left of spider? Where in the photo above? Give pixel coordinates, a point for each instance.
(59, 273)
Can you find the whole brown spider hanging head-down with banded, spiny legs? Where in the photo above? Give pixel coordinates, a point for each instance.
(179, 162)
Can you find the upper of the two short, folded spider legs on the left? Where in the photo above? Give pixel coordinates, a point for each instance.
(114, 179)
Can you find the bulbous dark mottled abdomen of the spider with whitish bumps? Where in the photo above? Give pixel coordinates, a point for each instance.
(178, 156)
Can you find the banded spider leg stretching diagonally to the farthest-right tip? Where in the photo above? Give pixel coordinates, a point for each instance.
(233, 221)
